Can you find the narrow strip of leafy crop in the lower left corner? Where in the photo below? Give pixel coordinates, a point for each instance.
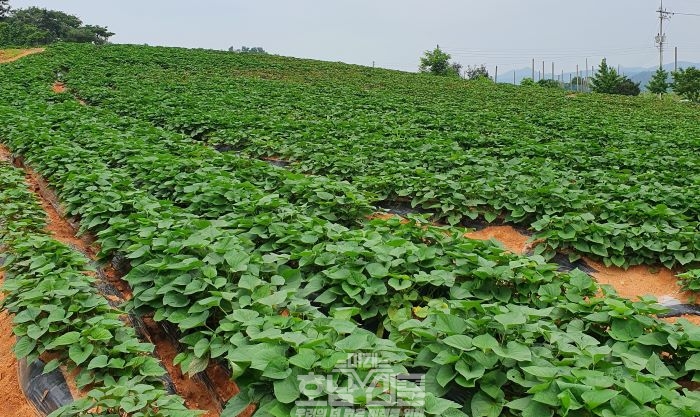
(57, 310)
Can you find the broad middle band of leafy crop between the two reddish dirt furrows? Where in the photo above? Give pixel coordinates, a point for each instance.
(281, 294)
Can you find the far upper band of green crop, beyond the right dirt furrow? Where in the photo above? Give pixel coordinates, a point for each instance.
(604, 177)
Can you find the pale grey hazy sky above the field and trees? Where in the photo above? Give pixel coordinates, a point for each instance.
(395, 33)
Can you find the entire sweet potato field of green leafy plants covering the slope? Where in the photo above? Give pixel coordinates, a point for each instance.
(276, 273)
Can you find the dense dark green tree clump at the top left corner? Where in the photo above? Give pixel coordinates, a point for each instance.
(35, 26)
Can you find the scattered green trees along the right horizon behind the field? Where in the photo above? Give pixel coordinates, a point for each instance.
(686, 82)
